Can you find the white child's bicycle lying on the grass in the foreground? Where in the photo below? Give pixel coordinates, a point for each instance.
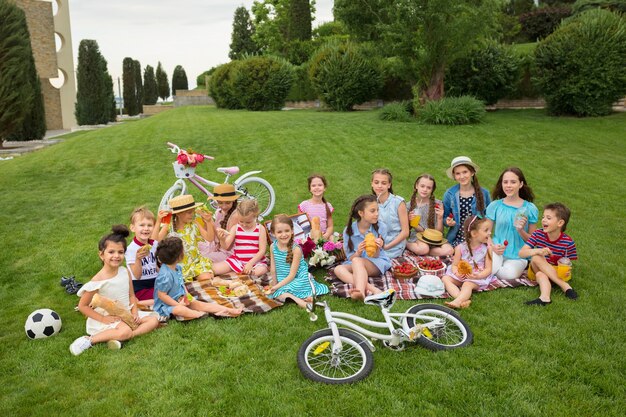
(339, 355)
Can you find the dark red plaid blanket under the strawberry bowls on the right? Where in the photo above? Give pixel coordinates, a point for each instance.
(405, 288)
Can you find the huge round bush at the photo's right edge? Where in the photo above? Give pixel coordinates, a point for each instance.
(581, 66)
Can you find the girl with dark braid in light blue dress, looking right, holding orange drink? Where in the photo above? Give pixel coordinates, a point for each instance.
(359, 266)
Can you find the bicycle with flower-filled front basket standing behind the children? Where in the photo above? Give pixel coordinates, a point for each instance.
(246, 186)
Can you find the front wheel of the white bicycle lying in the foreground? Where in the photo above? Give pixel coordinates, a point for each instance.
(317, 362)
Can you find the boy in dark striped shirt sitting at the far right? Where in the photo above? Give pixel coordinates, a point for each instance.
(545, 247)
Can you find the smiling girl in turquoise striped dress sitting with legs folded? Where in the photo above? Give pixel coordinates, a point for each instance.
(290, 274)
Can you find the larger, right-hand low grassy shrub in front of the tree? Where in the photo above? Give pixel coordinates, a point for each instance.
(450, 111)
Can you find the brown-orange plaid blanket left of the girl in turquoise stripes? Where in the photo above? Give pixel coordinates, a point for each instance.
(254, 302)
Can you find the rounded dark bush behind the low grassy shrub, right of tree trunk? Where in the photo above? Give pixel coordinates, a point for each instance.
(487, 74)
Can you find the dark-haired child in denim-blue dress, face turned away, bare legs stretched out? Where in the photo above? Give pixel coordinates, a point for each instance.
(170, 294)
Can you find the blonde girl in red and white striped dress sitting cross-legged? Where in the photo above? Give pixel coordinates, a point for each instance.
(250, 243)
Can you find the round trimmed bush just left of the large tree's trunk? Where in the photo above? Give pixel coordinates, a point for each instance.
(343, 76)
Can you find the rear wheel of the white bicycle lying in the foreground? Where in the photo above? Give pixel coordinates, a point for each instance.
(452, 333)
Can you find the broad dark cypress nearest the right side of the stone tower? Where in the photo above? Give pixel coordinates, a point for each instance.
(94, 89)
